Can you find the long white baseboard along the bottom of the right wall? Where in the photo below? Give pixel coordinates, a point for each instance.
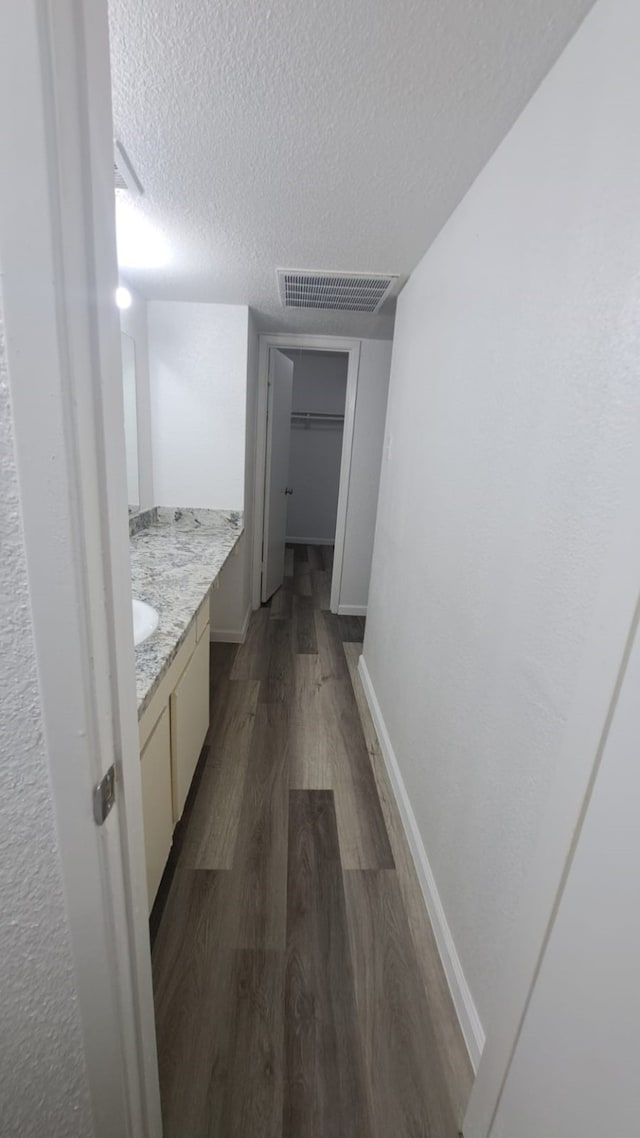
(463, 1001)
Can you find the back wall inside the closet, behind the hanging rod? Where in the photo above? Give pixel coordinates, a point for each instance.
(316, 452)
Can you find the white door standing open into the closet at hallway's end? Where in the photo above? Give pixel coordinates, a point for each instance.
(276, 489)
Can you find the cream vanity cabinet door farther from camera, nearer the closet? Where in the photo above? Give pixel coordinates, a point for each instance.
(190, 723)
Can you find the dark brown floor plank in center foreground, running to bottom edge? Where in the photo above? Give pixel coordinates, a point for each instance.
(325, 1084)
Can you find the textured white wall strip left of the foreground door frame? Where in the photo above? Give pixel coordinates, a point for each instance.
(44, 1090)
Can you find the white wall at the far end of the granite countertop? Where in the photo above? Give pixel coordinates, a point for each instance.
(203, 368)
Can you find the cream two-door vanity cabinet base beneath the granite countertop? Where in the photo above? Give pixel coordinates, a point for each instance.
(173, 731)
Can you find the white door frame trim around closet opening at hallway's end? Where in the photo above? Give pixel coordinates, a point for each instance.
(309, 343)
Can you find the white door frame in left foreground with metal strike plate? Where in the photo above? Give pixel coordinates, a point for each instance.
(60, 273)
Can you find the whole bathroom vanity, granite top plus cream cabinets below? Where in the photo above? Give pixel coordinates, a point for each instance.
(176, 559)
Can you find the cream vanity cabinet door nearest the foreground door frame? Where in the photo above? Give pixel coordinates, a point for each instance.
(158, 814)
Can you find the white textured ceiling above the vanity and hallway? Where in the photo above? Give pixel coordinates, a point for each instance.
(332, 135)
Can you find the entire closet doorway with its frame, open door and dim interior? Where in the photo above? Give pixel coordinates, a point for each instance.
(307, 405)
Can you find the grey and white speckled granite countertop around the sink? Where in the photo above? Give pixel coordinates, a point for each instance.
(175, 562)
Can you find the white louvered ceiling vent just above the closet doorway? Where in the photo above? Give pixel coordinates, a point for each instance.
(339, 292)
